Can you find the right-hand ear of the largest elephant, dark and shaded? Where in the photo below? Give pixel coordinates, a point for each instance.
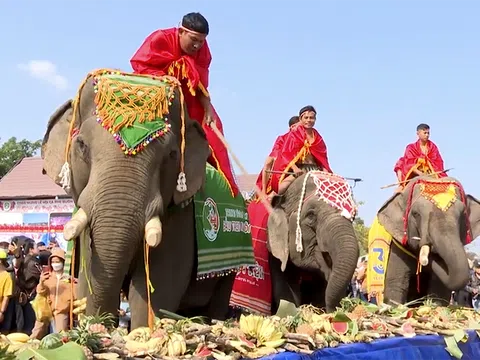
(196, 155)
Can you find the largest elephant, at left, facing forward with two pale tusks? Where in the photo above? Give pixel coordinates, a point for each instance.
(126, 200)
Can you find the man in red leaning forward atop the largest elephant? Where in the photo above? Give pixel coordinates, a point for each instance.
(183, 53)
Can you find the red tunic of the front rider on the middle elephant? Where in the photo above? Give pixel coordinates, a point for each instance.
(295, 148)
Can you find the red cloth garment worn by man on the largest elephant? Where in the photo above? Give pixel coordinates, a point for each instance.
(159, 55)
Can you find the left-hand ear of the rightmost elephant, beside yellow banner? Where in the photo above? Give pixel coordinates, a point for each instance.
(391, 215)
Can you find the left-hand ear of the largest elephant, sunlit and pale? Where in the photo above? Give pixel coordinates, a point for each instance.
(55, 141)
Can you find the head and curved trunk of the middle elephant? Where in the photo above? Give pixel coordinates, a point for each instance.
(328, 242)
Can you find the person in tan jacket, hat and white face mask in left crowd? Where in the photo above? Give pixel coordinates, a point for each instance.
(54, 285)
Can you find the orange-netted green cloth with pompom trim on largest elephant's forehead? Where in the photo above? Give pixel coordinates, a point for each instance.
(133, 108)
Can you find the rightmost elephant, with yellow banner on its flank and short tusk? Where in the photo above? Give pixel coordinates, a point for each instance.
(436, 236)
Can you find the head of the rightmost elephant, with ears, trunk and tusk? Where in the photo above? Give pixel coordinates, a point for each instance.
(436, 234)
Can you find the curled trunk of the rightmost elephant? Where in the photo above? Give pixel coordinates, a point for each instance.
(451, 265)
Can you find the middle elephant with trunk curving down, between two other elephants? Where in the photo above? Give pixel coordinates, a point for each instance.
(330, 248)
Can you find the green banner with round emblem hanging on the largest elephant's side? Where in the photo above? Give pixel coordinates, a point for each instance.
(222, 227)
